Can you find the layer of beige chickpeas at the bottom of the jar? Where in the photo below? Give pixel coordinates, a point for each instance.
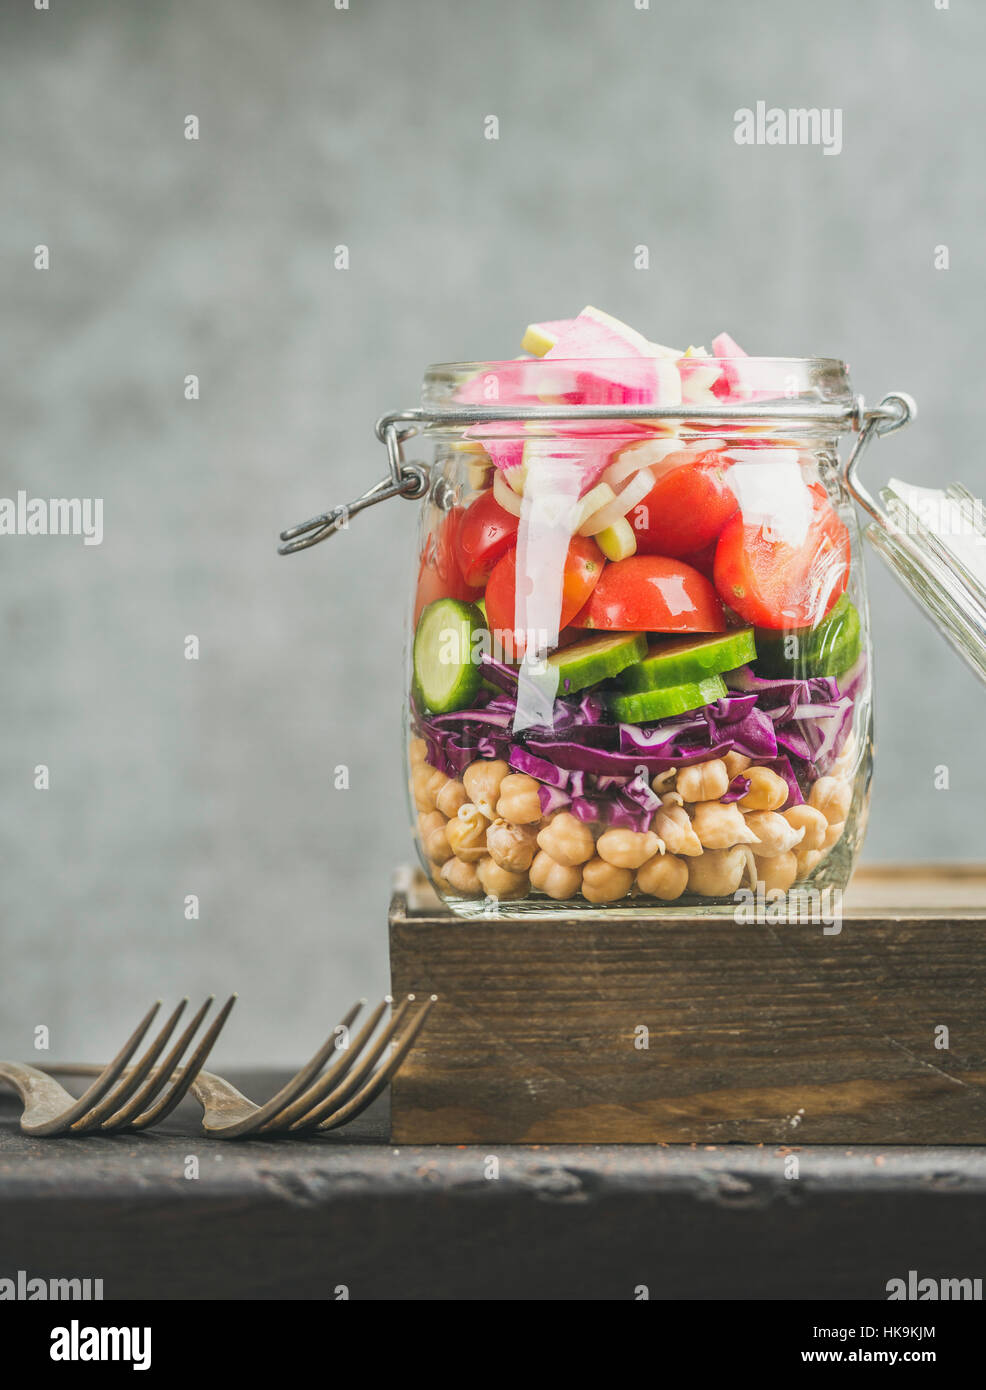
(485, 833)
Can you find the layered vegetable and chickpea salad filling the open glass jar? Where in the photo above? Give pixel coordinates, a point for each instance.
(639, 667)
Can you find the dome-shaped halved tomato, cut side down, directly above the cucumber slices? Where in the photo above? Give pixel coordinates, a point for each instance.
(653, 594)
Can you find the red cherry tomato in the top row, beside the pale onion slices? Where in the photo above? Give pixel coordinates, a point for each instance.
(686, 508)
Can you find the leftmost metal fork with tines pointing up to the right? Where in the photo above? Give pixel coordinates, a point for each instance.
(122, 1096)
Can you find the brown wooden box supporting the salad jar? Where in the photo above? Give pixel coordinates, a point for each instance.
(697, 1031)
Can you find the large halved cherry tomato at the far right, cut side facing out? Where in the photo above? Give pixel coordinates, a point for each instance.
(778, 584)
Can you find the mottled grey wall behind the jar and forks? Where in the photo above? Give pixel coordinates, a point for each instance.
(215, 258)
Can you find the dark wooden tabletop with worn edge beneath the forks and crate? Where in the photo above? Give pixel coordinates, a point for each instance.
(301, 1218)
